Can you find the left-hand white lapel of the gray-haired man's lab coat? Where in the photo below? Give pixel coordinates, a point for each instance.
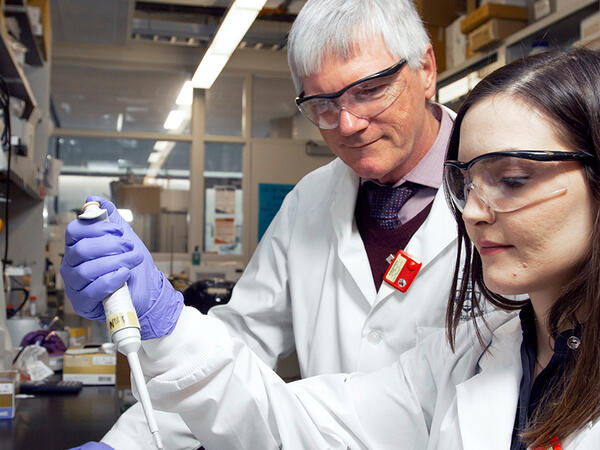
(350, 247)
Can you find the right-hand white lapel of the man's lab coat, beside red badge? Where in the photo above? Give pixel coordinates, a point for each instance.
(433, 237)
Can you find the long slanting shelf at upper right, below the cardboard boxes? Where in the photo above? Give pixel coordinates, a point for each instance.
(561, 28)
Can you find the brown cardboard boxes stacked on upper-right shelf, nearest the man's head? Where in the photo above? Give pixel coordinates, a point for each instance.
(490, 23)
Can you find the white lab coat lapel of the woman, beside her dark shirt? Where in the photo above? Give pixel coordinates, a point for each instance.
(487, 402)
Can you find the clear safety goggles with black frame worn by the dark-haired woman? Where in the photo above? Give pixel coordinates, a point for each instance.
(508, 181)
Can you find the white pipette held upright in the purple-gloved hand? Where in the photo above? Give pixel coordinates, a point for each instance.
(124, 329)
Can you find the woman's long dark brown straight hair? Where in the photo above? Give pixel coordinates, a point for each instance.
(564, 86)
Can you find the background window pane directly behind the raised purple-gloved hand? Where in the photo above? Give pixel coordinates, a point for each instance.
(150, 178)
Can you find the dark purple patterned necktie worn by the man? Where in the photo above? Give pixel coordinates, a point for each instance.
(385, 202)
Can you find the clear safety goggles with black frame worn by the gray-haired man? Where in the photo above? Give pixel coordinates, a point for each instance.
(365, 98)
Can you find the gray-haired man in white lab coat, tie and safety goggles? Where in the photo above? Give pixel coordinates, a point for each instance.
(315, 282)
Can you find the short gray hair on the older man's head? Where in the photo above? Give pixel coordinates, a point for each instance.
(336, 27)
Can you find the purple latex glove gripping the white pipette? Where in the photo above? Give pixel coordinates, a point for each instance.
(101, 256)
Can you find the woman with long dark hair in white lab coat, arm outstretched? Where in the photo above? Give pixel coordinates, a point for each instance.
(523, 184)
